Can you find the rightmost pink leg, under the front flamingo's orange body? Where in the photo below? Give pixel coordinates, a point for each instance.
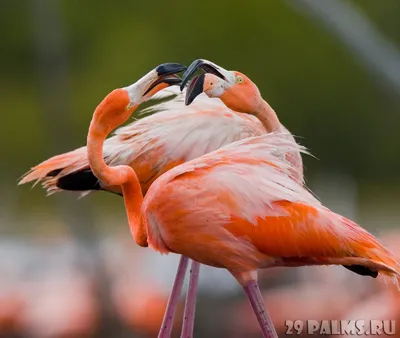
(253, 293)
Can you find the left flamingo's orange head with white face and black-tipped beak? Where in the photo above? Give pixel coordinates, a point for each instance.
(118, 105)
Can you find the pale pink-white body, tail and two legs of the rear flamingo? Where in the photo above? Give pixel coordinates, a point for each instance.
(151, 146)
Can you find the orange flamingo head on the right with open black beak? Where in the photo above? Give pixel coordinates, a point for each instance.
(235, 89)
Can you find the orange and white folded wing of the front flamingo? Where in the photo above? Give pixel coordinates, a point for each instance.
(246, 189)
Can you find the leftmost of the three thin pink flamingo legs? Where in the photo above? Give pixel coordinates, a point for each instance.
(168, 321)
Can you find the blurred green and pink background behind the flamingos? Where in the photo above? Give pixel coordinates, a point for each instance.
(331, 70)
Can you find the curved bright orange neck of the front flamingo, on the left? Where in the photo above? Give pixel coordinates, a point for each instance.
(123, 175)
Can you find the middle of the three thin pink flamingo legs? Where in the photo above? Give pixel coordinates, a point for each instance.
(190, 305)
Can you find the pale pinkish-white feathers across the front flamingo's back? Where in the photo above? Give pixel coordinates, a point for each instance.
(254, 171)
